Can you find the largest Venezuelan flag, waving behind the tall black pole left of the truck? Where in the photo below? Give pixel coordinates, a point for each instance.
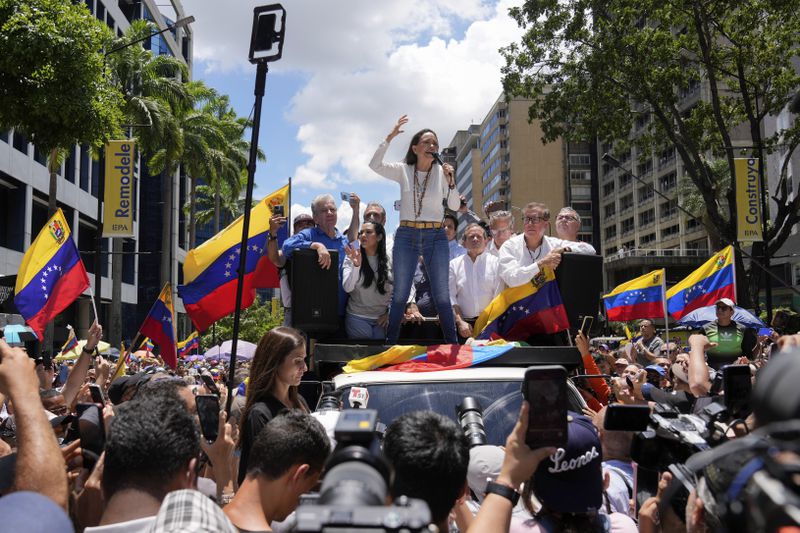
(210, 270)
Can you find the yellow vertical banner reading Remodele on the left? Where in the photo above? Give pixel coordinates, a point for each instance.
(118, 197)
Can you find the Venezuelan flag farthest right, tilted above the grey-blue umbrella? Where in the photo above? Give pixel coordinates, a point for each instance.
(715, 279)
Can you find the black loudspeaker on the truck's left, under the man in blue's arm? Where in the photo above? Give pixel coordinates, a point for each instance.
(315, 292)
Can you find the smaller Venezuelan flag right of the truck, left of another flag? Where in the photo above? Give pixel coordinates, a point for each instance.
(642, 297)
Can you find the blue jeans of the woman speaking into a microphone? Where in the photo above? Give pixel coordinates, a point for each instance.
(409, 245)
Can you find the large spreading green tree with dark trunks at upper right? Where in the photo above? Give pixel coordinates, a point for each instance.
(593, 69)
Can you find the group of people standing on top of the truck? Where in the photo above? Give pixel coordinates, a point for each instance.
(423, 271)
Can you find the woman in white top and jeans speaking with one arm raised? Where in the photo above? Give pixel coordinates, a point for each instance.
(425, 184)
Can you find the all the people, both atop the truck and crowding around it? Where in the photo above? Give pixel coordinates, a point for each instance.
(83, 450)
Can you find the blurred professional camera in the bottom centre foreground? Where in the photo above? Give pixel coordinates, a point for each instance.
(356, 485)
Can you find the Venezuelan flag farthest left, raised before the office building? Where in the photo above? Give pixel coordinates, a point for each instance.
(51, 275)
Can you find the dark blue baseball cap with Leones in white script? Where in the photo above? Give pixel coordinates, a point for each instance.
(571, 480)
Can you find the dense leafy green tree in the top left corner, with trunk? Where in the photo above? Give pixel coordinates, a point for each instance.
(53, 80)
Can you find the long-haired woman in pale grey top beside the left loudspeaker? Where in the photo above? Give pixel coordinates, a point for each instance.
(367, 277)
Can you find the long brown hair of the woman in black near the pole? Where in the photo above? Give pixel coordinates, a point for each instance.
(272, 350)
